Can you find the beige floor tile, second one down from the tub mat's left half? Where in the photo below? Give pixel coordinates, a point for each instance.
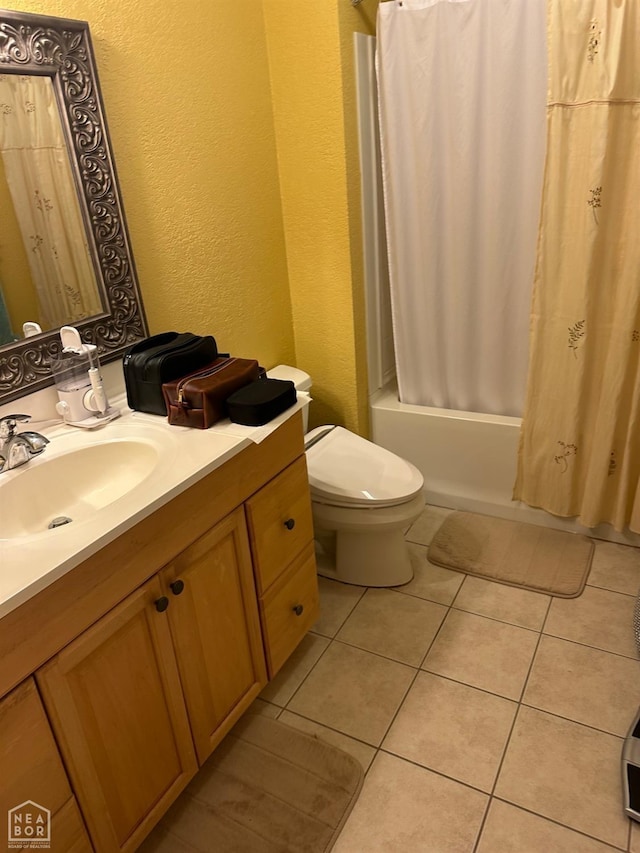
(484, 653)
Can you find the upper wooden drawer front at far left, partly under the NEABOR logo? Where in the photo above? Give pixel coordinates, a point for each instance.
(31, 765)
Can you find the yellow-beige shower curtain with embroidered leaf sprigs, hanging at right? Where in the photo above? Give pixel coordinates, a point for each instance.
(580, 441)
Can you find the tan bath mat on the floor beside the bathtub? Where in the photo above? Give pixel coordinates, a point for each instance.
(514, 553)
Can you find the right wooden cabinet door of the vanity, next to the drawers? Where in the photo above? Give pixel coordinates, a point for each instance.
(216, 630)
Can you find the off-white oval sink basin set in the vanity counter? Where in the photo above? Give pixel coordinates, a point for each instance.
(73, 484)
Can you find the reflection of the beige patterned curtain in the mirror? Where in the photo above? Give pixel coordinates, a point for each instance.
(44, 196)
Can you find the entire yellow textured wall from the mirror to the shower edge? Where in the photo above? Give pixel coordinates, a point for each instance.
(233, 125)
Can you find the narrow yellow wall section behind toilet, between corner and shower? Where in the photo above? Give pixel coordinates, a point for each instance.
(313, 91)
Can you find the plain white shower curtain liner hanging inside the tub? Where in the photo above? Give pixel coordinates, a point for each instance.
(462, 93)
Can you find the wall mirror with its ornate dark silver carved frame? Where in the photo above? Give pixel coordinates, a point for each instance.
(81, 264)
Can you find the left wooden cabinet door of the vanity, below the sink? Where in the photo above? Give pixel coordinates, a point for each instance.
(113, 696)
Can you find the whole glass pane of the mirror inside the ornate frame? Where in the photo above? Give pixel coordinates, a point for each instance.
(46, 271)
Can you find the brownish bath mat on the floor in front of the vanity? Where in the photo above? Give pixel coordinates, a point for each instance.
(268, 788)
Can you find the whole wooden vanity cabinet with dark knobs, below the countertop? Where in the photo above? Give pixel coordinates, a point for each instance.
(147, 653)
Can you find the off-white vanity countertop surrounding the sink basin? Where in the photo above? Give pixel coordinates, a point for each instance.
(31, 562)
